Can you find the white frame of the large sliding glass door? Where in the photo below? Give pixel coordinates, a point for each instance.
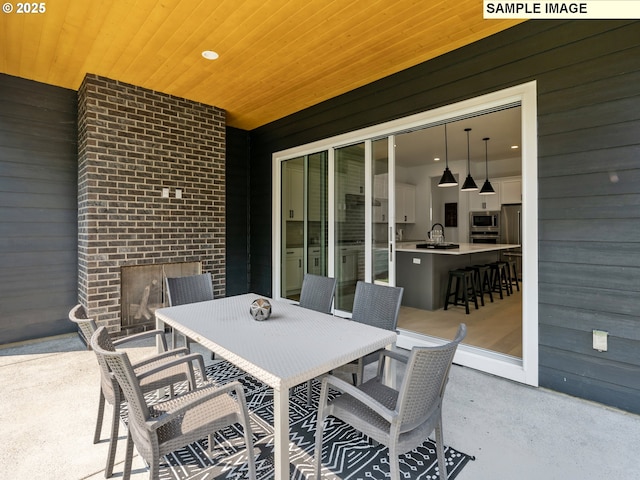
(526, 369)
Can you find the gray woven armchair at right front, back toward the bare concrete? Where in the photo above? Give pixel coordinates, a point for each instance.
(400, 419)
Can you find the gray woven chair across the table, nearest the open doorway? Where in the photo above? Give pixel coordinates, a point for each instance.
(378, 306)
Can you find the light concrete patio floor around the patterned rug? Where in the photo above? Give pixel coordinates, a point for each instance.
(50, 395)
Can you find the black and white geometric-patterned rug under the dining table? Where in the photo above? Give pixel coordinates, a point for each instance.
(347, 453)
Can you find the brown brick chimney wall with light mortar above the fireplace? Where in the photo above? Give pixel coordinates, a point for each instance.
(132, 143)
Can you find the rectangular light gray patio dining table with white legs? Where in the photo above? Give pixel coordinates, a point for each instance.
(293, 346)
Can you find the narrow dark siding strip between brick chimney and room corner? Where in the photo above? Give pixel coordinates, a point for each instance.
(237, 211)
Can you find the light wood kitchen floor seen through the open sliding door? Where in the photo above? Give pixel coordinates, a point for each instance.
(497, 326)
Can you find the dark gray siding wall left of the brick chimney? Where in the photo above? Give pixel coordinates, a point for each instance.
(38, 209)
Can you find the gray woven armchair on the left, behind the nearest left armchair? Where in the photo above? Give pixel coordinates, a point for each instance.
(177, 367)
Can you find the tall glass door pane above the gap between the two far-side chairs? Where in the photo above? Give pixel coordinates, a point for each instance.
(349, 258)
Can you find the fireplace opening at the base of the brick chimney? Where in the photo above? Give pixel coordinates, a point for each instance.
(143, 291)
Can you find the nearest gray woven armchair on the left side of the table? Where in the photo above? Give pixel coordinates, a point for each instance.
(162, 428)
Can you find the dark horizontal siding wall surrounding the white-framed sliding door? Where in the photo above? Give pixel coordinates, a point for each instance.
(587, 74)
